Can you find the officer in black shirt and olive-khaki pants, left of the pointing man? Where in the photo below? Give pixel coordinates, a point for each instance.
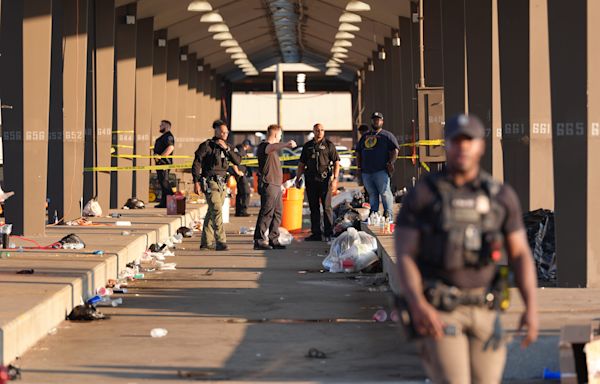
(209, 170)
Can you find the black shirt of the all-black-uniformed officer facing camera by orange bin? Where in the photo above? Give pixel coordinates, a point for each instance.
(319, 159)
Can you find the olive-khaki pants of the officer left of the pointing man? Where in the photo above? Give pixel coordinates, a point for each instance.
(213, 222)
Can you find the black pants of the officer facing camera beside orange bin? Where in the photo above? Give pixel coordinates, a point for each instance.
(319, 193)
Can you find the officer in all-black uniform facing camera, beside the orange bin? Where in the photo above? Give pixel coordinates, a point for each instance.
(320, 165)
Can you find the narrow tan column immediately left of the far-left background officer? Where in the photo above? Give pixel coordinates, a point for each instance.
(143, 103)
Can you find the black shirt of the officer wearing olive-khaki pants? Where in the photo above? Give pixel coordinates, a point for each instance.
(211, 159)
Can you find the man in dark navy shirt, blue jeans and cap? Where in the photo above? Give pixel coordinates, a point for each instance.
(376, 154)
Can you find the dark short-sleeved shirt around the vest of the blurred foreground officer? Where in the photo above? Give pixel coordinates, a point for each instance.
(416, 214)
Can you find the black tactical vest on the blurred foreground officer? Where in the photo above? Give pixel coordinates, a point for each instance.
(464, 226)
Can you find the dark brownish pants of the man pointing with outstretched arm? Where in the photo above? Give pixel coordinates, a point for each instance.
(269, 217)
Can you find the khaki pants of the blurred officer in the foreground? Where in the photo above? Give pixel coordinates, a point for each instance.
(470, 356)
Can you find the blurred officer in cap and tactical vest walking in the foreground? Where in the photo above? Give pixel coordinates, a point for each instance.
(453, 229)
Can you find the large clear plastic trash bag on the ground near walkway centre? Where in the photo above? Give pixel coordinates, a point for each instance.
(352, 251)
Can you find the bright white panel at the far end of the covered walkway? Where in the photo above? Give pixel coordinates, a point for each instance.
(253, 112)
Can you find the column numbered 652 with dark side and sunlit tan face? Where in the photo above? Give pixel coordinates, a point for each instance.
(67, 120)
